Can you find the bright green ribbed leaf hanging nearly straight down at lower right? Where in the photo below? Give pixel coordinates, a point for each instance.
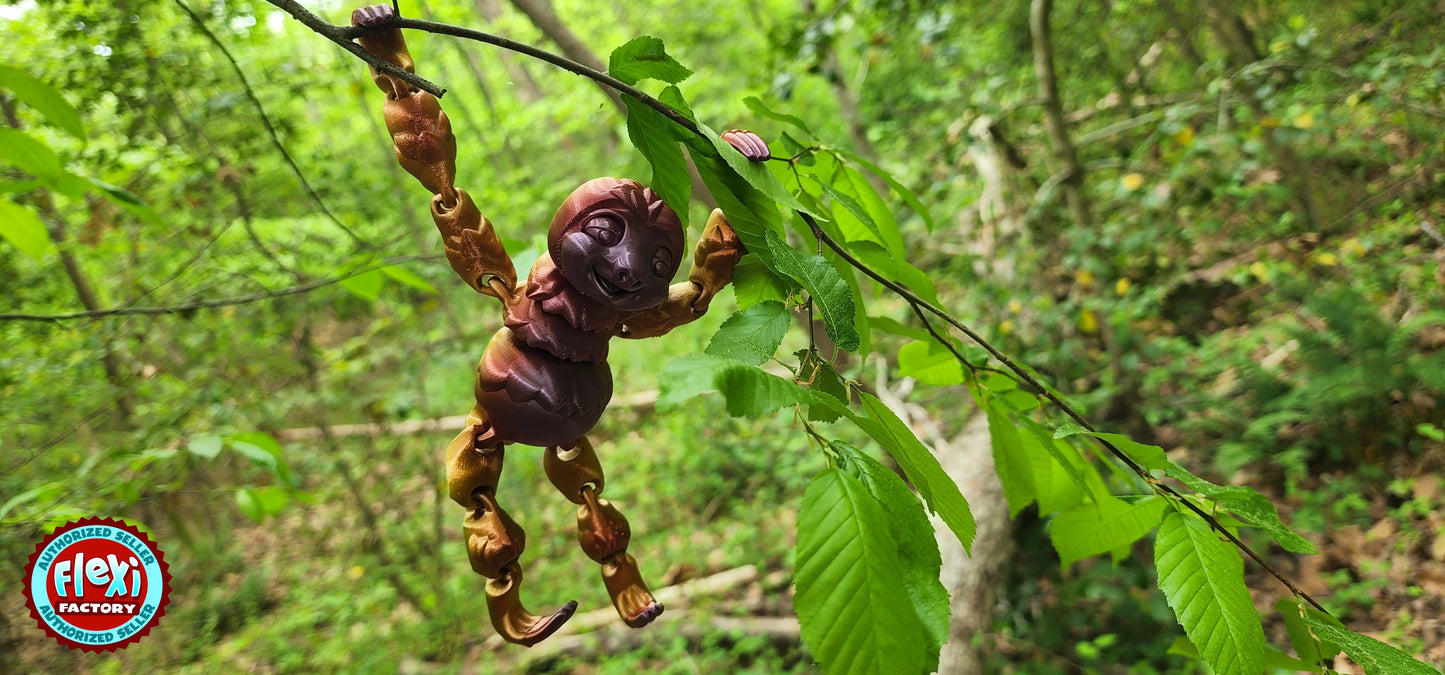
(1203, 580)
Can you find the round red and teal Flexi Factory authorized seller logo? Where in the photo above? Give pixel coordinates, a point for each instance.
(98, 585)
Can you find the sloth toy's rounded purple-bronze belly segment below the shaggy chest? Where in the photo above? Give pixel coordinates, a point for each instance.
(535, 398)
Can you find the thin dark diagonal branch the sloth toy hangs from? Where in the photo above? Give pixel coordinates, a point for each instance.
(343, 37)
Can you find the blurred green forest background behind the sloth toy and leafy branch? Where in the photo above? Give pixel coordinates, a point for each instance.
(1225, 235)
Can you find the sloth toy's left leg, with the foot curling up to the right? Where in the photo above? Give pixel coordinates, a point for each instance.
(495, 541)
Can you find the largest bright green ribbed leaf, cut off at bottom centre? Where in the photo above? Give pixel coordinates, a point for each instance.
(852, 615)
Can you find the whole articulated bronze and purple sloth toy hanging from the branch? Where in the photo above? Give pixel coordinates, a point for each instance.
(544, 381)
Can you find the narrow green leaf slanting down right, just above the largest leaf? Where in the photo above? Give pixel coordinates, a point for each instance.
(928, 478)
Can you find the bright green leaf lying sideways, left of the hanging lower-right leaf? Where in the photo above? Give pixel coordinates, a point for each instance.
(1100, 528)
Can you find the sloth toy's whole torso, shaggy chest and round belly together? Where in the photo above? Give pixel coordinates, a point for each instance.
(544, 379)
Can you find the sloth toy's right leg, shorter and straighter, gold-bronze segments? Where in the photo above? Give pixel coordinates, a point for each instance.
(602, 530)
